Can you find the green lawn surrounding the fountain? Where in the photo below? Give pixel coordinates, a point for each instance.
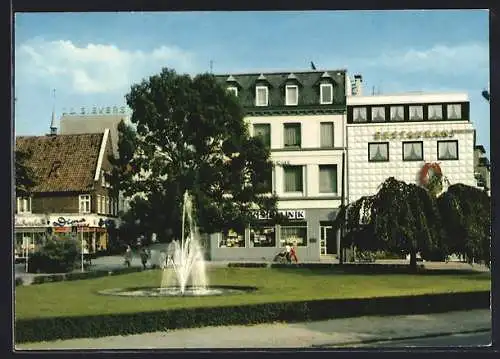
(80, 297)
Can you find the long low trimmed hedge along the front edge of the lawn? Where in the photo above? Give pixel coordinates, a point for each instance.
(49, 329)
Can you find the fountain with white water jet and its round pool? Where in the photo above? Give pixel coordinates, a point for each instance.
(183, 266)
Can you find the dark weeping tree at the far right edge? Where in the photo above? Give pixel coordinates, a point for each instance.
(465, 211)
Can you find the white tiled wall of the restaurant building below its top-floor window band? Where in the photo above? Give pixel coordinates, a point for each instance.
(364, 177)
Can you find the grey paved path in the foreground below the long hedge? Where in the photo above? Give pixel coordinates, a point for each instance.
(328, 333)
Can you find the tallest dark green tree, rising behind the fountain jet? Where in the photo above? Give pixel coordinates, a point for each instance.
(190, 135)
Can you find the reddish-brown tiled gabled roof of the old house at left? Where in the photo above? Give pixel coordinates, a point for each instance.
(62, 163)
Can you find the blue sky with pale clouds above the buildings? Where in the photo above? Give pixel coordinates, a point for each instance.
(92, 59)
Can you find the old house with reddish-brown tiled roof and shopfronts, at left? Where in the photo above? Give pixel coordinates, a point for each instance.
(72, 193)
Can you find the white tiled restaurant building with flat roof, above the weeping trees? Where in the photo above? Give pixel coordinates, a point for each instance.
(396, 135)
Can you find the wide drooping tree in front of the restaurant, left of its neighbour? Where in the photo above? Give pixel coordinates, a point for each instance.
(399, 217)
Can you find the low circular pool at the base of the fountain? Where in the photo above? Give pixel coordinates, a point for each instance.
(176, 292)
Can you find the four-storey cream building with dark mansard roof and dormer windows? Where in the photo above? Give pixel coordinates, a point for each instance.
(301, 117)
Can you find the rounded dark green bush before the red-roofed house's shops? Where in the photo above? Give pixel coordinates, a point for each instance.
(56, 256)
